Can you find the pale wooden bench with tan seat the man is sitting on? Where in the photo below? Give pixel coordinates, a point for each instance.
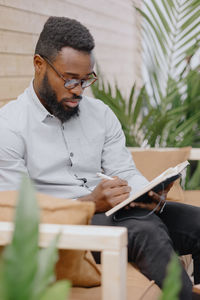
(118, 281)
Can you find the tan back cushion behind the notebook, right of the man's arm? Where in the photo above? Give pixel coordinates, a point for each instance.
(153, 162)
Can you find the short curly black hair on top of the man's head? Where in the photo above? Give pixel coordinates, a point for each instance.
(59, 32)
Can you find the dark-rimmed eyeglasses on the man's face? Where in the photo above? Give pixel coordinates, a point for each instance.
(72, 83)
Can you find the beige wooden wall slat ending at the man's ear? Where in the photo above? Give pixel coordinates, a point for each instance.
(16, 65)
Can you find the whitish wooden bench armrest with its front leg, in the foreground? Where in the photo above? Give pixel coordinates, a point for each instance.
(111, 241)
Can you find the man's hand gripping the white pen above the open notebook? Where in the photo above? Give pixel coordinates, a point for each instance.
(108, 193)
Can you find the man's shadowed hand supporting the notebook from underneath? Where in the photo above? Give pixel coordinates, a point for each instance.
(156, 198)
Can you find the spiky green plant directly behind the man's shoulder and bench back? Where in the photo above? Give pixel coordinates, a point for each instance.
(144, 123)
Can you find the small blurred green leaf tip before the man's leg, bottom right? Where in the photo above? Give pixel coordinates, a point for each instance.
(172, 282)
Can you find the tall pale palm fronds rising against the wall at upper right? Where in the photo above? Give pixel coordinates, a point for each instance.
(171, 39)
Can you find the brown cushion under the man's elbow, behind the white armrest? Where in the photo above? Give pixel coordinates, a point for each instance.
(75, 265)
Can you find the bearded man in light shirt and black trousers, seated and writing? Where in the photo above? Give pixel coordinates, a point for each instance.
(61, 139)
